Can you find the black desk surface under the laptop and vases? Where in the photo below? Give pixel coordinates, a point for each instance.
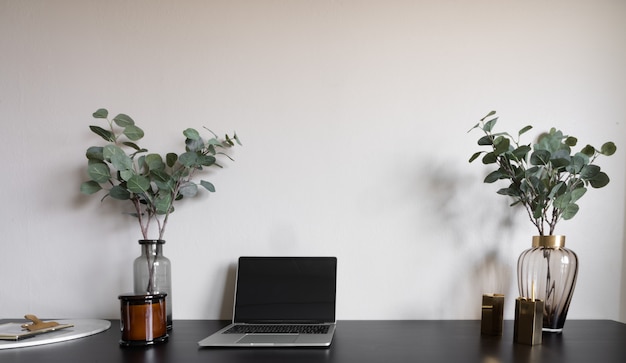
(355, 341)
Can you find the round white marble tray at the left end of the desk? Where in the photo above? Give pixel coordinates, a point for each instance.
(82, 328)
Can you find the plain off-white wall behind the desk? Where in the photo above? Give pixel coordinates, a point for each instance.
(354, 118)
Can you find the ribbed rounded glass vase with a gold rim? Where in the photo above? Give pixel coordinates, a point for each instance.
(548, 272)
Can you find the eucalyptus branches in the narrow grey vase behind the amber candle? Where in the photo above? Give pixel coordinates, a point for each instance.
(150, 182)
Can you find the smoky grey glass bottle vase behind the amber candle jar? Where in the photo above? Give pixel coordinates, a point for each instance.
(152, 273)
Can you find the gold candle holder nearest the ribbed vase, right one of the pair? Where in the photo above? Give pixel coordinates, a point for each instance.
(528, 321)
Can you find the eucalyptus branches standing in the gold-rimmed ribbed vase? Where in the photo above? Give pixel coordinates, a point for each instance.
(547, 178)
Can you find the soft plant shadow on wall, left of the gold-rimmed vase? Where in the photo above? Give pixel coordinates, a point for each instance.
(480, 225)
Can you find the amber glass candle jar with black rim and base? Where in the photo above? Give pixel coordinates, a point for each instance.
(143, 319)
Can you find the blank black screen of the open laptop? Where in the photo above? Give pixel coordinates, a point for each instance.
(285, 289)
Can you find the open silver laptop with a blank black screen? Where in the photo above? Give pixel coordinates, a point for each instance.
(281, 302)
